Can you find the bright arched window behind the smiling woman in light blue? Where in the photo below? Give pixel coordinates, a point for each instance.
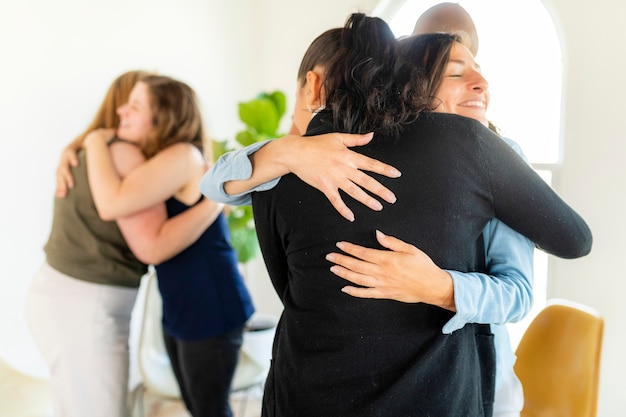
(520, 55)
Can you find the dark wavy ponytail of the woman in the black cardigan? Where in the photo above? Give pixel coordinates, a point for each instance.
(368, 86)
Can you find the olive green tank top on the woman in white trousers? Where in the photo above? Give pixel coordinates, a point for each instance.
(86, 247)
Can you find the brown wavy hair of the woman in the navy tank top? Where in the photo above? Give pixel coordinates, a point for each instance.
(176, 114)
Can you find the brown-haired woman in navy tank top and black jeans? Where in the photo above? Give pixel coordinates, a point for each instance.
(205, 301)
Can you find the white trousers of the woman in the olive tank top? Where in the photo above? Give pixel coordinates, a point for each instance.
(81, 330)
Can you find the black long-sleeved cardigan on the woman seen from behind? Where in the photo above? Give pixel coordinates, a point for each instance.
(335, 355)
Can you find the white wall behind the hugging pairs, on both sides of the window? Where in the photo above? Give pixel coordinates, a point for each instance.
(59, 57)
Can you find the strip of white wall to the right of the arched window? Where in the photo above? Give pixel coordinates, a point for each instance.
(593, 176)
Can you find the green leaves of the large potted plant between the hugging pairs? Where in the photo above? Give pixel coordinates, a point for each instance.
(261, 117)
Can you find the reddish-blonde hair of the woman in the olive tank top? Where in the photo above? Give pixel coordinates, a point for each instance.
(116, 95)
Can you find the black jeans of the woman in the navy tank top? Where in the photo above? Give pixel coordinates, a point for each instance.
(204, 370)
